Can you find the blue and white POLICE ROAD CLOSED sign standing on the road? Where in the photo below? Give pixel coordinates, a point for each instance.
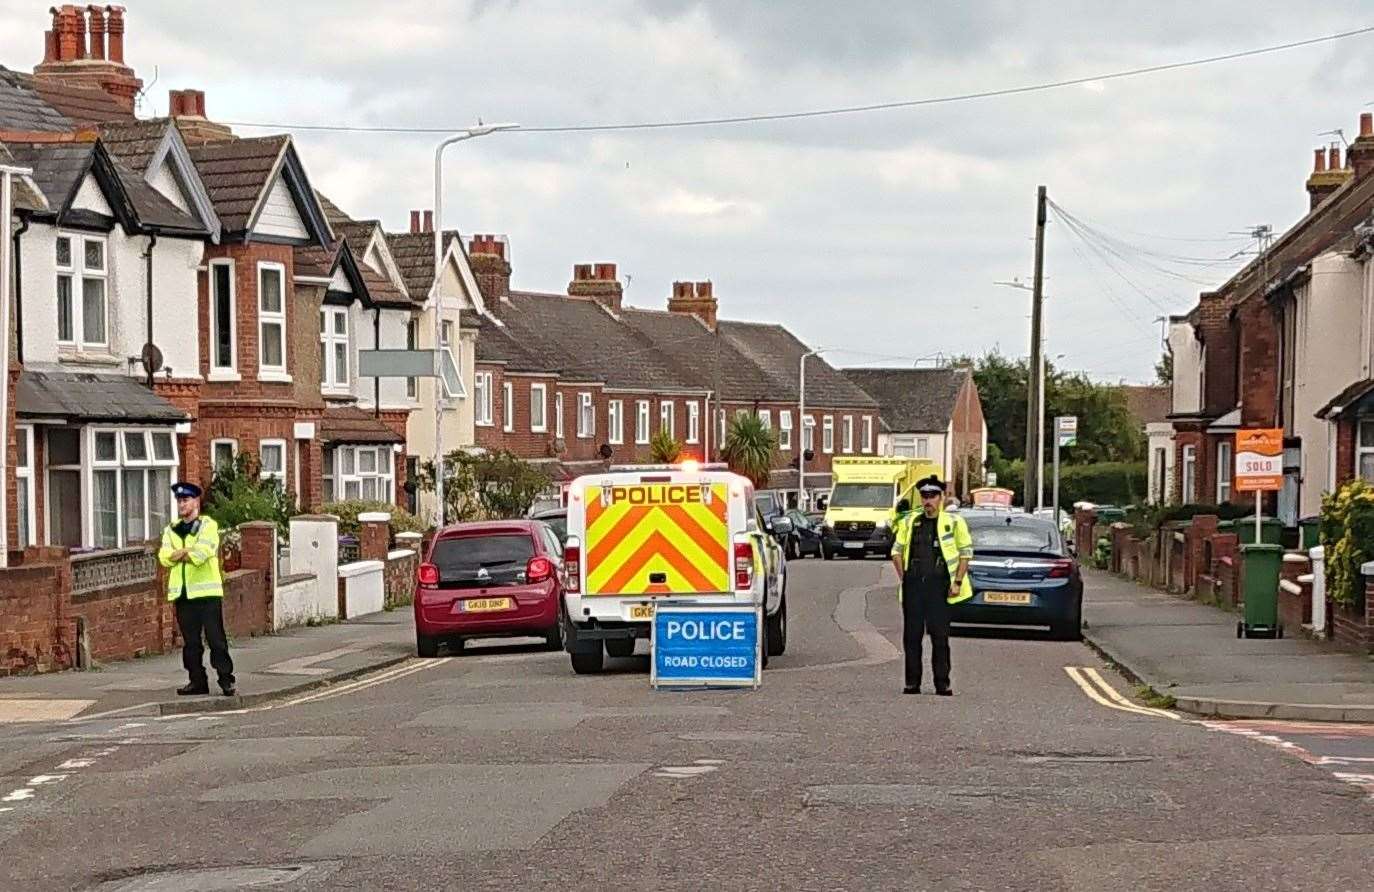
(706, 647)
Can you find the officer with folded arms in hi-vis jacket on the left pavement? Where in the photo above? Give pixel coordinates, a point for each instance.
(192, 553)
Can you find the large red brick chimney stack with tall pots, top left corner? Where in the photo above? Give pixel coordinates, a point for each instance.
(71, 61)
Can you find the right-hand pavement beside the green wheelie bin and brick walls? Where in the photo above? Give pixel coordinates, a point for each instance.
(1191, 652)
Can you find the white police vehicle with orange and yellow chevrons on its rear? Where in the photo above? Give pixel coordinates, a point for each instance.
(642, 534)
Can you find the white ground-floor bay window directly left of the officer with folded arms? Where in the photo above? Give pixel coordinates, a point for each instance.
(131, 483)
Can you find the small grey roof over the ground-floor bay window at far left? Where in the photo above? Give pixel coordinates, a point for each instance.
(78, 397)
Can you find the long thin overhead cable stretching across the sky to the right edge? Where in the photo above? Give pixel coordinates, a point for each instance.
(840, 111)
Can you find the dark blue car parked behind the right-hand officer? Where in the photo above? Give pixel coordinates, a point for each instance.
(1022, 574)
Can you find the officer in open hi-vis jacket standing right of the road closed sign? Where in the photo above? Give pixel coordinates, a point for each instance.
(932, 550)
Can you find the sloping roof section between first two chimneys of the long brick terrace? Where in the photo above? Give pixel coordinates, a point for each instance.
(585, 343)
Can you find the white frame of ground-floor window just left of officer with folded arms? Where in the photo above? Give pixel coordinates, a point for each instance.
(120, 465)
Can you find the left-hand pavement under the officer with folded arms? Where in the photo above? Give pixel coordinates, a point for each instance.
(267, 667)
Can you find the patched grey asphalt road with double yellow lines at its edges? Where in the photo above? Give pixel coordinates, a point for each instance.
(502, 770)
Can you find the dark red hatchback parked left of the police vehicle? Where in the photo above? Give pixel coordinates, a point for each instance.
(490, 579)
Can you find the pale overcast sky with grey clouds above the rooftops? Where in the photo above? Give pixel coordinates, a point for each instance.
(879, 234)
